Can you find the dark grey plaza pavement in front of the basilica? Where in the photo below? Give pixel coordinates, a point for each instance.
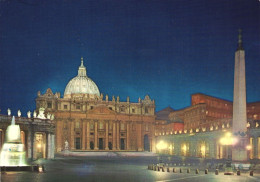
(121, 167)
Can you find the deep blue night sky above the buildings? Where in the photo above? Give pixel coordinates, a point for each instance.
(166, 49)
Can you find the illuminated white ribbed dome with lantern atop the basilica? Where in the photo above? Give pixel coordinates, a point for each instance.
(81, 84)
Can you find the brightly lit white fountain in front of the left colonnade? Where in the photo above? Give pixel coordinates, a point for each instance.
(13, 154)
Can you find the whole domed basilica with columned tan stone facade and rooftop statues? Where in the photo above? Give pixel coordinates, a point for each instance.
(89, 121)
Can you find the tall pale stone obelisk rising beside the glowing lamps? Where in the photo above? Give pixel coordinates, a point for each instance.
(239, 152)
